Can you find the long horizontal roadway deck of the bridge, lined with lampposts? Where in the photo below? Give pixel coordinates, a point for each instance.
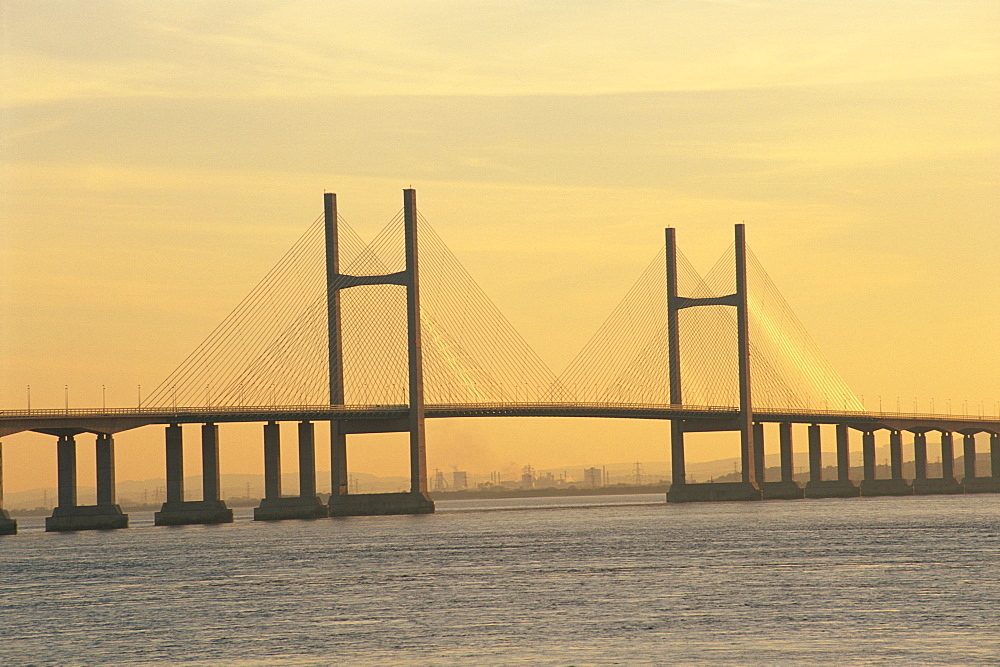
(374, 418)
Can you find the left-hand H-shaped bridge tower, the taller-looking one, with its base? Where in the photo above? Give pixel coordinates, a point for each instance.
(417, 501)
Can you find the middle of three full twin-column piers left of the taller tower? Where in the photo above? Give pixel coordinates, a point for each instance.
(211, 509)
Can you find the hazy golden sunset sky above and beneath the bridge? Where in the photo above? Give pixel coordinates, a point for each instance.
(158, 158)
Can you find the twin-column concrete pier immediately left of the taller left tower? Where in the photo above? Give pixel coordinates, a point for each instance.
(306, 505)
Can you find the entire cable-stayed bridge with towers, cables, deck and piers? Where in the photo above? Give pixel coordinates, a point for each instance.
(314, 344)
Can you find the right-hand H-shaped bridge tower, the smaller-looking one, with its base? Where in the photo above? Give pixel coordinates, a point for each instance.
(752, 452)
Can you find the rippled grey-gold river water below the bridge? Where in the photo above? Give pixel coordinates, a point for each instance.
(559, 581)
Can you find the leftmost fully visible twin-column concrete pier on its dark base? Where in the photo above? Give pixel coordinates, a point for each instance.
(68, 515)
